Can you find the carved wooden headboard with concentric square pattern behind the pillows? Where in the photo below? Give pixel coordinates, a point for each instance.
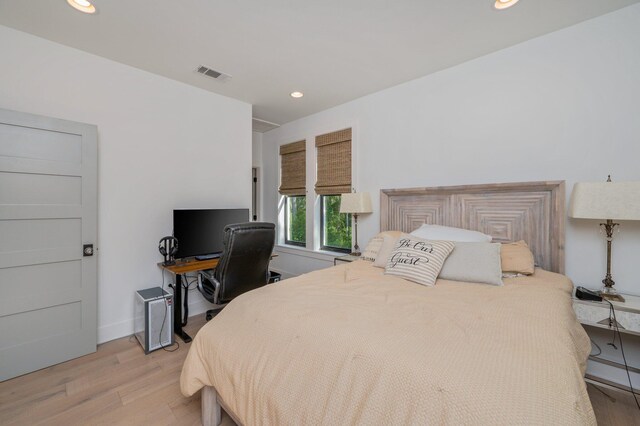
(530, 211)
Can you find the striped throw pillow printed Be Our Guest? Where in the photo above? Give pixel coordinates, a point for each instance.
(418, 260)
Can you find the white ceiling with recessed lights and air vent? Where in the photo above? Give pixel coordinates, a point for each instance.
(332, 50)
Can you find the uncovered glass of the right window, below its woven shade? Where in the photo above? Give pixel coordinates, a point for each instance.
(335, 226)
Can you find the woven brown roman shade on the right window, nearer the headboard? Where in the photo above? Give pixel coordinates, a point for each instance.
(334, 163)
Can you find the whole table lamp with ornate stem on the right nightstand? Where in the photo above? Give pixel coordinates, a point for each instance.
(606, 200)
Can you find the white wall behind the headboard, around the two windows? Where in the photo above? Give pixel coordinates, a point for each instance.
(560, 107)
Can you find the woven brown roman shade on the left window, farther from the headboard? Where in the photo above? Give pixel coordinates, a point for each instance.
(293, 172)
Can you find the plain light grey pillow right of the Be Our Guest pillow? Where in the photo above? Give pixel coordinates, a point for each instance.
(475, 263)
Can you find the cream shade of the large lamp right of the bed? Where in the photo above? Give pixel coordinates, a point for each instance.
(605, 200)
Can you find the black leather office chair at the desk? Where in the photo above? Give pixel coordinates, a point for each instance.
(243, 265)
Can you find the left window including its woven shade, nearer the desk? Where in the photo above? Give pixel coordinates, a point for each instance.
(293, 177)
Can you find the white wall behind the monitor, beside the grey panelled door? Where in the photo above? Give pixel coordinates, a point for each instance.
(162, 145)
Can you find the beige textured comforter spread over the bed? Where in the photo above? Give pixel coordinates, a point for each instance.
(349, 345)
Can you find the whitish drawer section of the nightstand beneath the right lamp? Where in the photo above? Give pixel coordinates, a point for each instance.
(596, 314)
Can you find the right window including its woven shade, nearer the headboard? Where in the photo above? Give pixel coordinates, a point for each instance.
(333, 178)
